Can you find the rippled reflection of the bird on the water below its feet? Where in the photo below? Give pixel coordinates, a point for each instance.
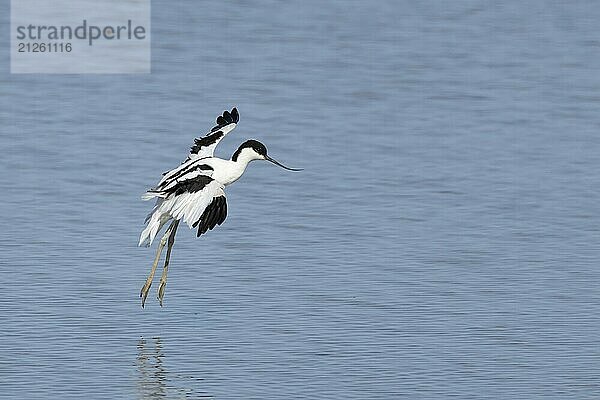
(154, 381)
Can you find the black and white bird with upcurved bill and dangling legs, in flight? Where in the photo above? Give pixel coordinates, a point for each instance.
(194, 191)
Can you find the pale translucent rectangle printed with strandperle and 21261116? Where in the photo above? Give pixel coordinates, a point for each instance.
(80, 36)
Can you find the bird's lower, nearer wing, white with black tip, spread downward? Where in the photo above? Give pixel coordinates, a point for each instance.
(199, 201)
